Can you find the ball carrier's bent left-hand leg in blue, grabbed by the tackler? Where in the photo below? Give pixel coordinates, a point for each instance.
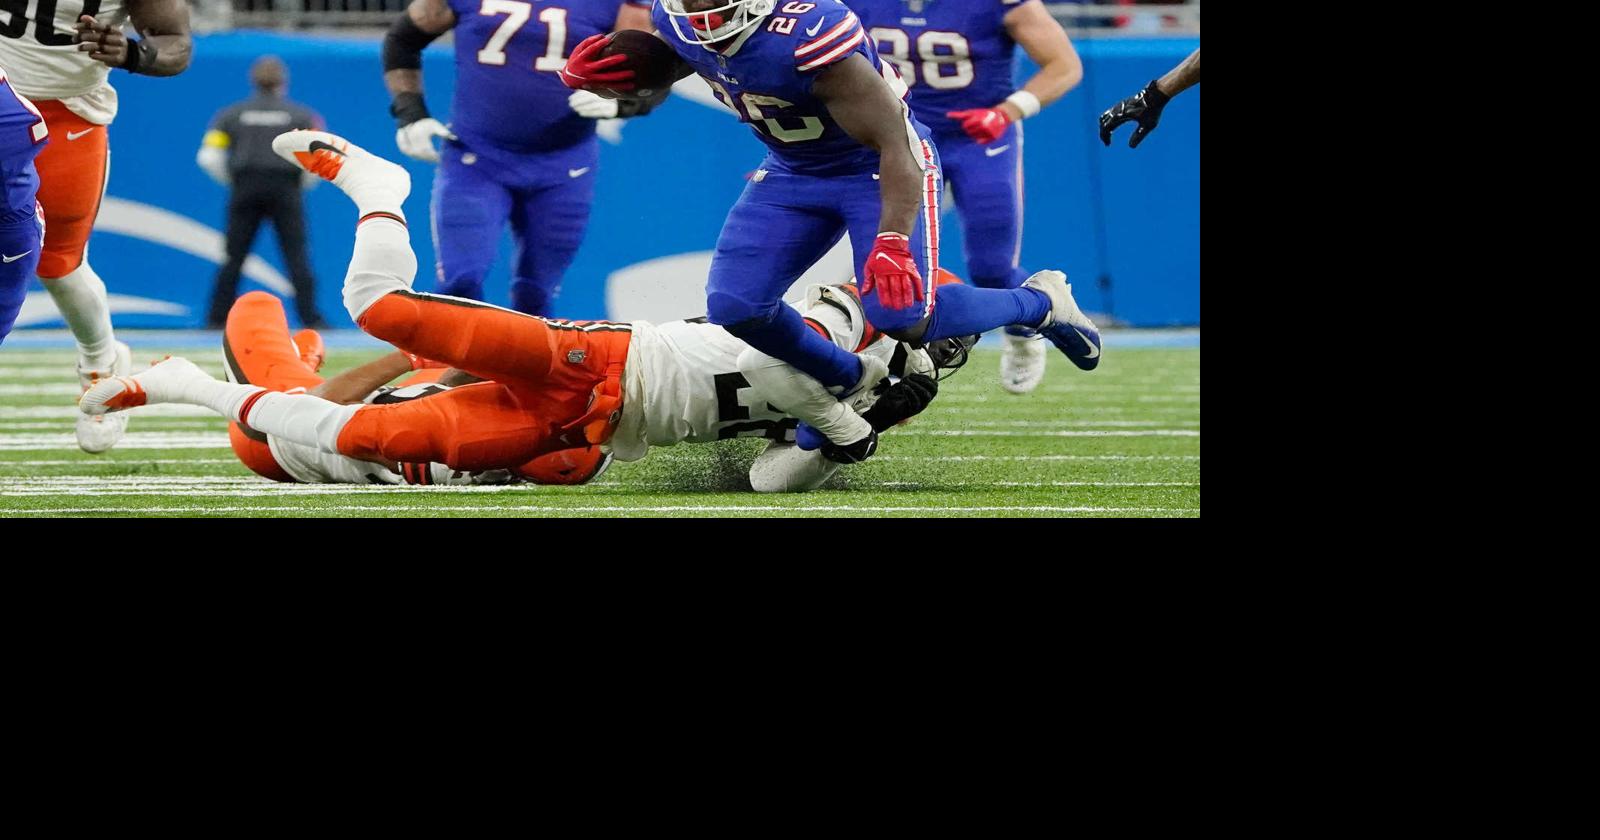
(772, 238)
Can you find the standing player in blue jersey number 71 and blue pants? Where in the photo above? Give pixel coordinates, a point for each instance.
(521, 146)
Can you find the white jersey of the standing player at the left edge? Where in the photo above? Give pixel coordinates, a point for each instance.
(38, 50)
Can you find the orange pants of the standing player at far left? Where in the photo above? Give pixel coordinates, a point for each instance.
(71, 185)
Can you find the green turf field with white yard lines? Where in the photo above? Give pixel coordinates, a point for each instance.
(1119, 442)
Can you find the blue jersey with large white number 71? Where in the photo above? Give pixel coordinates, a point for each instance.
(508, 57)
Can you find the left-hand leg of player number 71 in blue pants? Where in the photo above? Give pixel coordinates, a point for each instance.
(470, 212)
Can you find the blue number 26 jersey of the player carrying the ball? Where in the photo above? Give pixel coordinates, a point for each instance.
(767, 73)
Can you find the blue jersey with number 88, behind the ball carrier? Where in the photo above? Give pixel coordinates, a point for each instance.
(956, 55)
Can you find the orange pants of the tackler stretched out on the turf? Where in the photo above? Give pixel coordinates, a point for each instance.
(554, 385)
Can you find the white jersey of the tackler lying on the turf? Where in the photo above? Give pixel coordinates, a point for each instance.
(684, 383)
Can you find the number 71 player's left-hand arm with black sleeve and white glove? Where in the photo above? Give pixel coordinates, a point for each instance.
(404, 44)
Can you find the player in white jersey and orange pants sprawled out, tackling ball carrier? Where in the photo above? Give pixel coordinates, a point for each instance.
(548, 386)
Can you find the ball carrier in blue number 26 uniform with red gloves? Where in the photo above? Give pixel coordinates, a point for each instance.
(844, 156)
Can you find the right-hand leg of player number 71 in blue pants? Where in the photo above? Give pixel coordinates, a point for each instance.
(548, 228)
